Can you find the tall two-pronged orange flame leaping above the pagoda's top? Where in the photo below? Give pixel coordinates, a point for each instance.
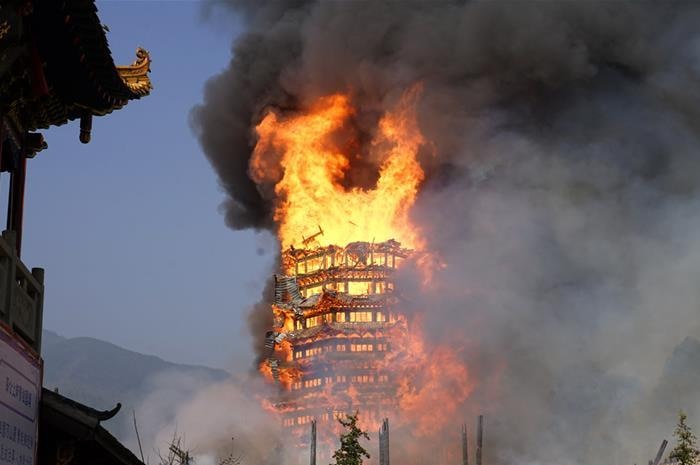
(309, 184)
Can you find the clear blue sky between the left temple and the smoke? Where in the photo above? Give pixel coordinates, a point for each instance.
(127, 226)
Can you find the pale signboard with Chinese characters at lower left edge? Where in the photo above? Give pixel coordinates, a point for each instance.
(20, 388)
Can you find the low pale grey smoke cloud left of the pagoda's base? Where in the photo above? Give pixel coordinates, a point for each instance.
(210, 419)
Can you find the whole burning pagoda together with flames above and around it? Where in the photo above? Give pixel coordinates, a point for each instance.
(340, 338)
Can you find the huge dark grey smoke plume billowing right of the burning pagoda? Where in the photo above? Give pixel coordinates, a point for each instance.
(563, 193)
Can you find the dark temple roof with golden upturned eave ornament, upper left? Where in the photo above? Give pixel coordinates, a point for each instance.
(67, 67)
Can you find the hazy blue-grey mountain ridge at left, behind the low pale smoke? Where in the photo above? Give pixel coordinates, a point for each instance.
(100, 374)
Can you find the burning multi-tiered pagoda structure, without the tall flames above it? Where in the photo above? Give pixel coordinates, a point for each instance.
(336, 321)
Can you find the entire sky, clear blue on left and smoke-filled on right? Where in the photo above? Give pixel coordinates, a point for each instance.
(561, 191)
